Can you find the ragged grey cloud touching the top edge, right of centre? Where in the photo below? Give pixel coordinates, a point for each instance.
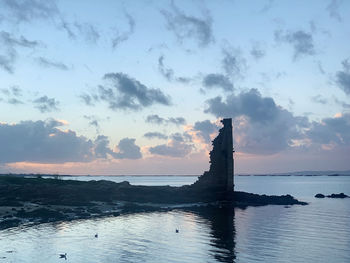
(186, 26)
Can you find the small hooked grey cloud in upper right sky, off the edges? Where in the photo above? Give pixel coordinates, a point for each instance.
(301, 41)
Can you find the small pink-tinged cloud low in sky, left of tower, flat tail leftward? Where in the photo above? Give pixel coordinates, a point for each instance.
(178, 146)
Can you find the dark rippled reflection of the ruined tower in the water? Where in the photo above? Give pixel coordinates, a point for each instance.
(222, 225)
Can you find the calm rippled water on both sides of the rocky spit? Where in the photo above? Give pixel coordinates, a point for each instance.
(319, 232)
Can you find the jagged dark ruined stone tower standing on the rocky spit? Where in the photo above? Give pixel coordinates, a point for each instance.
(220, 174)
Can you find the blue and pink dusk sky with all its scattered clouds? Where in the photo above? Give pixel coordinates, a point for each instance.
(139, 87)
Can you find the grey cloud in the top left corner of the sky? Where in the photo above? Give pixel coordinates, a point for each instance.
(28, 10)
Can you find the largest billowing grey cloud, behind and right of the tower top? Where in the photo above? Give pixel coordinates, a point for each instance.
(260, 126)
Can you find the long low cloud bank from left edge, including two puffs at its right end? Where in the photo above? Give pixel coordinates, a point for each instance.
(44, 142)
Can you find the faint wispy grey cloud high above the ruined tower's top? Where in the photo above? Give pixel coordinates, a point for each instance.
(233, 62)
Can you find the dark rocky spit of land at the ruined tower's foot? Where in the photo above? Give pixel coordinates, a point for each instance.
(38, 200)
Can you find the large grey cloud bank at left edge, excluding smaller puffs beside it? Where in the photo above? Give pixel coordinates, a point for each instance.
(42, 142)
